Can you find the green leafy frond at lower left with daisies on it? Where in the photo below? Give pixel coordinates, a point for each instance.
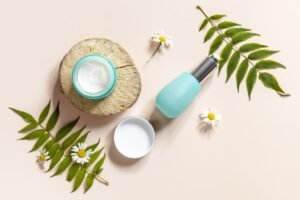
(58, 147)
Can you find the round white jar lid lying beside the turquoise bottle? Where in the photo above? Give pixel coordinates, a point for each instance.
(134, 137)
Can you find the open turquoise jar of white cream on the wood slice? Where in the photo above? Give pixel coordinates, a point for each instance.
(94, 77)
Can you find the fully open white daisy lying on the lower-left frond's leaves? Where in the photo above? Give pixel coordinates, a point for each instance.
(80, 154)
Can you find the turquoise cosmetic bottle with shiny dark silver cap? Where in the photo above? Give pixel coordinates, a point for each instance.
(175, 97)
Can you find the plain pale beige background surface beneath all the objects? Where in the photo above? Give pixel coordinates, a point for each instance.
(252, 155)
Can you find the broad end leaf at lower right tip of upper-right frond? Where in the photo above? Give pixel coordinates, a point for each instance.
(270, 81)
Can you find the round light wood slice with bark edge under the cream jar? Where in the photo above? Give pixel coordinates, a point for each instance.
(128, 85)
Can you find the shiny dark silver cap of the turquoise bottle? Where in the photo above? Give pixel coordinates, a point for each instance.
(205, 68)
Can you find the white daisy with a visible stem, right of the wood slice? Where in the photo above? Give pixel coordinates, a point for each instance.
(161, 39)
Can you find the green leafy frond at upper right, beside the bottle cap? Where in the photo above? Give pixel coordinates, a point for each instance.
(251, 54)
